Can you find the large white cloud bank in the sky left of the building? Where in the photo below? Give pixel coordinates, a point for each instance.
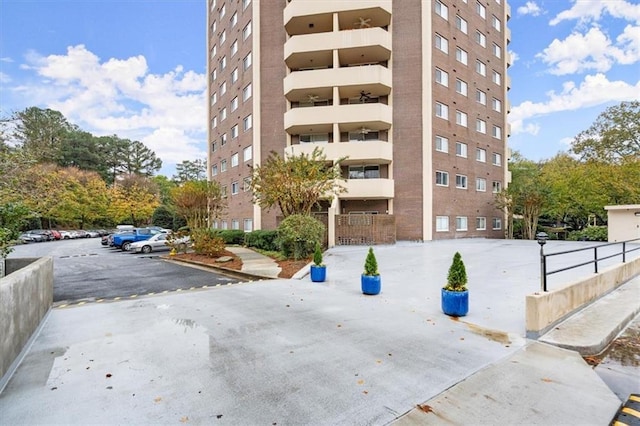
(167, 112)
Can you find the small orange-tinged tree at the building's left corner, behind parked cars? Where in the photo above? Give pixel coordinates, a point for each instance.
(200, 202)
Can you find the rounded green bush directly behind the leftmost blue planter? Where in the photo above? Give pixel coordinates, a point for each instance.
(298, 235)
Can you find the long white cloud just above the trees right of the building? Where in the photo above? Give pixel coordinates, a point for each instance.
(594, 90)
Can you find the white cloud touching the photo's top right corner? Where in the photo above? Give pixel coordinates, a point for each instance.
(592, 10)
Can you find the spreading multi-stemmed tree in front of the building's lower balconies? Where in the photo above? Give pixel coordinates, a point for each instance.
(296, 183)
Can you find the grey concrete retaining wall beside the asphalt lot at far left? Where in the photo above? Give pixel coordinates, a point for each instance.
(26, 295)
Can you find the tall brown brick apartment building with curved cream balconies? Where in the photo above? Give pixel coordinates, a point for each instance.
(413, 92)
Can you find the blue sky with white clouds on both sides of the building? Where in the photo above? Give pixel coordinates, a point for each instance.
(137, 68)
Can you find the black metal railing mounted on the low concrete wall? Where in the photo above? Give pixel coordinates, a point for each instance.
(544, 273)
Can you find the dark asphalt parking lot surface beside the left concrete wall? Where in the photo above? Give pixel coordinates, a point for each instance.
(85, 270)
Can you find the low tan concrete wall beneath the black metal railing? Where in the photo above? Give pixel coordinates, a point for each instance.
(545, 310)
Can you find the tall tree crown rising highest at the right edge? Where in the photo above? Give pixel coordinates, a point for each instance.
(614, 137)
